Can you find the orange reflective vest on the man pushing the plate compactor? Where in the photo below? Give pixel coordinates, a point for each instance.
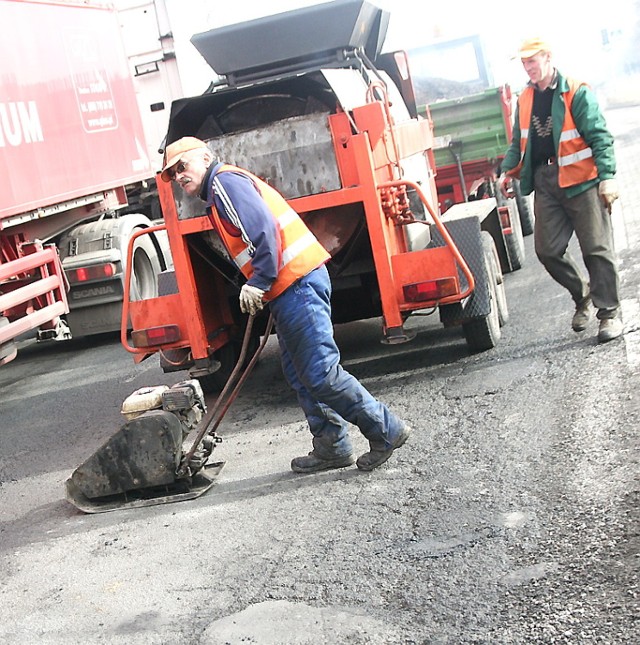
(301, 251)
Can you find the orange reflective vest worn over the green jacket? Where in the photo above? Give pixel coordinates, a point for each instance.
(575, 158)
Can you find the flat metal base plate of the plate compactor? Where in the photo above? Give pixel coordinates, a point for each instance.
(177, 492)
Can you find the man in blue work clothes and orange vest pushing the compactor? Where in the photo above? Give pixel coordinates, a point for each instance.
(284, 265)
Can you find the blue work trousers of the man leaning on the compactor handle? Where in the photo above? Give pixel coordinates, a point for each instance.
(329, 396)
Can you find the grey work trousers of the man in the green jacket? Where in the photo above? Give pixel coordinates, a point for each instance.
(557, 217)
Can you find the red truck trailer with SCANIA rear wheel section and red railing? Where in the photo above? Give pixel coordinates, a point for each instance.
(72, 152)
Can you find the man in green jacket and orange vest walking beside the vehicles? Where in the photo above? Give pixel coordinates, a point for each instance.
(562, 150)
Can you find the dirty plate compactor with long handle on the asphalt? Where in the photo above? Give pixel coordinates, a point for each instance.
(145, 463)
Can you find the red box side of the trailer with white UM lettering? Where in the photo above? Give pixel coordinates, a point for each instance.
(69, 120)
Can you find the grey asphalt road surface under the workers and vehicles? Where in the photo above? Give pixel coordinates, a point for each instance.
(510, 516)
